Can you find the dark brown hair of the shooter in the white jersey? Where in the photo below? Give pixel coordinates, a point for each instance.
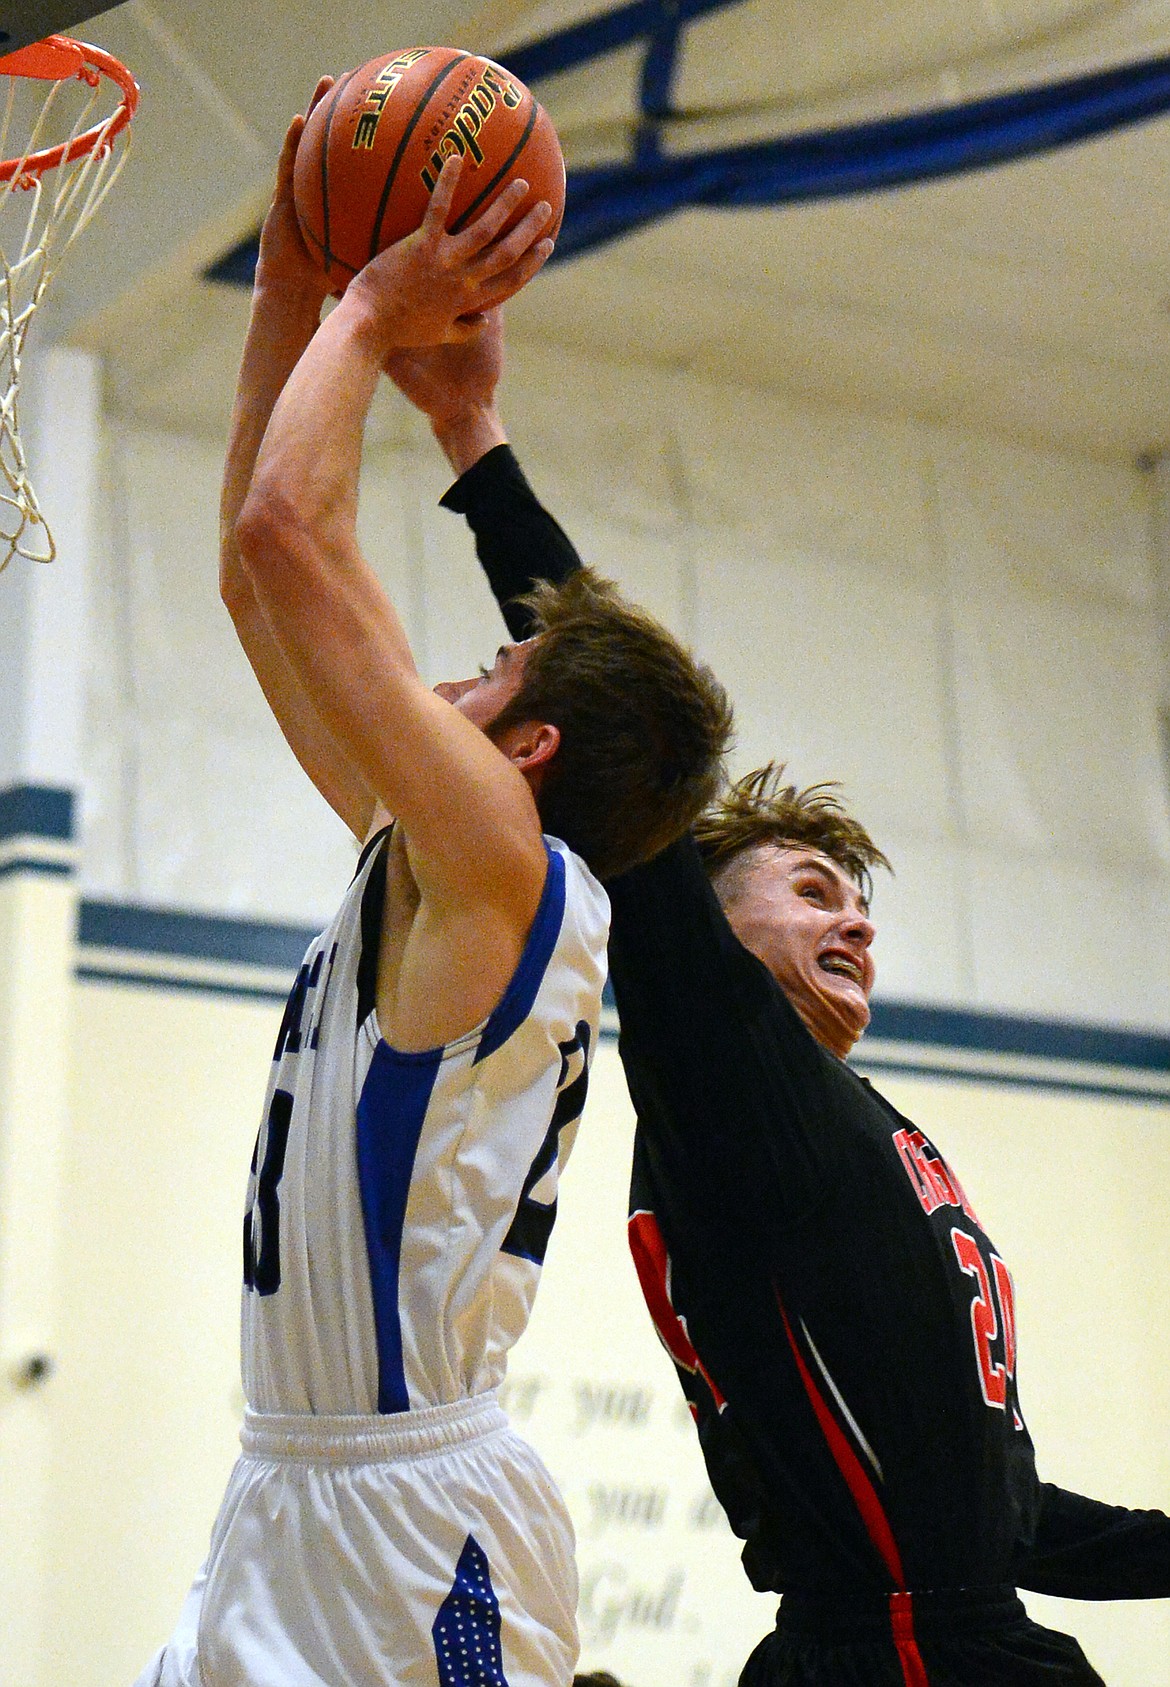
(645, 726)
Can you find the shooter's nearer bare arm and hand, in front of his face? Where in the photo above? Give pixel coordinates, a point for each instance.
(468, 811)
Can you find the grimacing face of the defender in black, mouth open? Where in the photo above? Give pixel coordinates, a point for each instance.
(808, 922)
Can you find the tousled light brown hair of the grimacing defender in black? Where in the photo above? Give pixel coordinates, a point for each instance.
(759, 809)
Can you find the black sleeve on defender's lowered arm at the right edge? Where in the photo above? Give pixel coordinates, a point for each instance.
(1085, 1550)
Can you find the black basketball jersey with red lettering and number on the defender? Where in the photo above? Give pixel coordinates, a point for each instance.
(842, 1323)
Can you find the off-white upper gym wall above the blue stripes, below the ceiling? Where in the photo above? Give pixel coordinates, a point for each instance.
(963, 630)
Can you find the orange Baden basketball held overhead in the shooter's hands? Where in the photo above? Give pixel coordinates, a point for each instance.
(373, 149)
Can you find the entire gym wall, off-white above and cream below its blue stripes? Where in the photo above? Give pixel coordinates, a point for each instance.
(960, 628)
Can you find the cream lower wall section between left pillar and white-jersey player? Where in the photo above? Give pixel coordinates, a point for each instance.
(146, 1403)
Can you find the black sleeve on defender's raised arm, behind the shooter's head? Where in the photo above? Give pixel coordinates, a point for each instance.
(706, 1032)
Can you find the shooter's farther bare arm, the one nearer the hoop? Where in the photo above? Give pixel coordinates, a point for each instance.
(286, 311)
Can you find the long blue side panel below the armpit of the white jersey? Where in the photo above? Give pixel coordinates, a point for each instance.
(390, 1121)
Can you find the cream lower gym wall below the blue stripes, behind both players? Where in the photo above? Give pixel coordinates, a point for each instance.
(166, 1092)
